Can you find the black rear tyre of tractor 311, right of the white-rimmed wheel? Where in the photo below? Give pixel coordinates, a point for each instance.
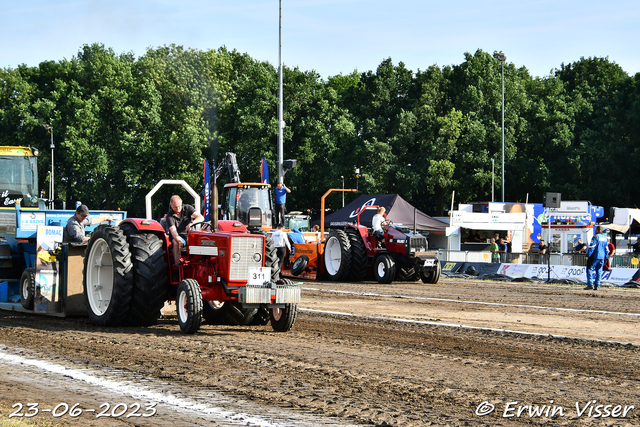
(150, 281)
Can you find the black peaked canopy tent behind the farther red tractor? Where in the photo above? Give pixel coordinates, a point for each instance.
(398, 210)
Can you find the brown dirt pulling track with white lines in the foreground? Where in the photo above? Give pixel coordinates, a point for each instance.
(372, 367)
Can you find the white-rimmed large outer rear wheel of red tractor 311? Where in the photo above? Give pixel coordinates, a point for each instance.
(108, 277)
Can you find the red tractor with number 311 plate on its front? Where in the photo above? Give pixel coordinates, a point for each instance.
(227, 276)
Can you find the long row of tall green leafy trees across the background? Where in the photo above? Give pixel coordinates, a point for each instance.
(122, 123)
